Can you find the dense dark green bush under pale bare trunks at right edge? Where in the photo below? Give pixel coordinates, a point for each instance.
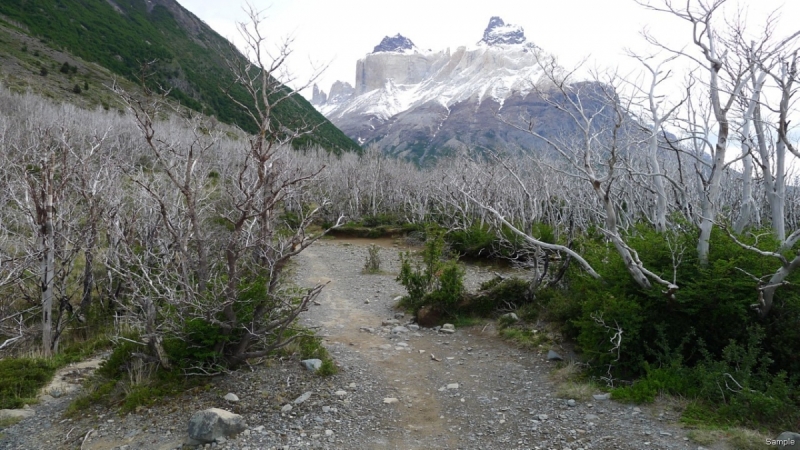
(706, 344)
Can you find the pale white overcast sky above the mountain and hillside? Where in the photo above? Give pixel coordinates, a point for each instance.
(339, 32)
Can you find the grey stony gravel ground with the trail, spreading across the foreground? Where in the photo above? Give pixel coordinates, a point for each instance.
(420, 388)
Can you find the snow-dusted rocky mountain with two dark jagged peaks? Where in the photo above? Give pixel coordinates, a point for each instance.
(421, 104)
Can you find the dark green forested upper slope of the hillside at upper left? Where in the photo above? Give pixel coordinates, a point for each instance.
(189, 56)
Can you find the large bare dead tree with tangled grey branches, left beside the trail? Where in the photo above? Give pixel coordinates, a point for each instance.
(222, 220)
